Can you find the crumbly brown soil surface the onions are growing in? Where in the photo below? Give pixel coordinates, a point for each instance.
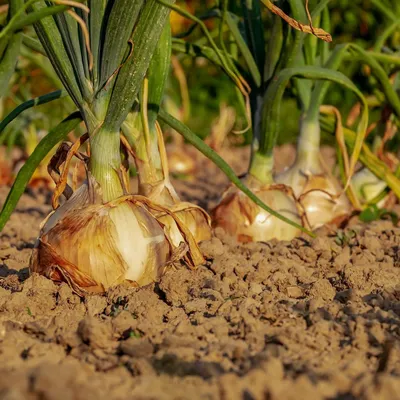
(306, 319)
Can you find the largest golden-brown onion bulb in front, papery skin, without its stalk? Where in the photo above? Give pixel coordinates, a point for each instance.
(96, 246)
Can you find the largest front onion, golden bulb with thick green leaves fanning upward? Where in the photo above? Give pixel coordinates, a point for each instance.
(102, 235)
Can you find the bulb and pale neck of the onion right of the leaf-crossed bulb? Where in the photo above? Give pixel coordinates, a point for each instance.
(318, 192)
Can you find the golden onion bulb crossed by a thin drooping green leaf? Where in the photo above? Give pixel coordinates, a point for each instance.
(241, 218)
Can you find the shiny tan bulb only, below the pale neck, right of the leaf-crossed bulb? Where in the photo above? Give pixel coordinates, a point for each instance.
(319, 194)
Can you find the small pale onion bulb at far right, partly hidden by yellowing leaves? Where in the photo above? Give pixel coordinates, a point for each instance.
(368, 186)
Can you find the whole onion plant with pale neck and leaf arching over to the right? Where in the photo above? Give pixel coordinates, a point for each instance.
(318, 191)
